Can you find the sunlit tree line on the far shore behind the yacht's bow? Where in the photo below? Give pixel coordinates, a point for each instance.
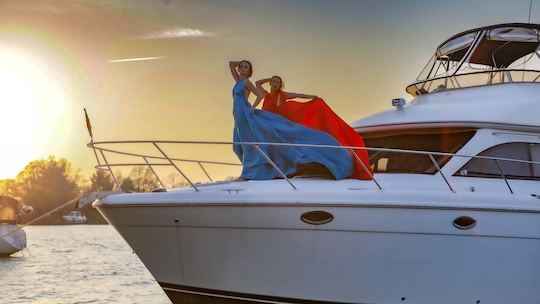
(48, 183)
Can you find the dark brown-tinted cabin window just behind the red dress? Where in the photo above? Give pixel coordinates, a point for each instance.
(447, 140)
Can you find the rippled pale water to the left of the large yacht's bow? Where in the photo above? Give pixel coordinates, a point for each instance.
(76, 264)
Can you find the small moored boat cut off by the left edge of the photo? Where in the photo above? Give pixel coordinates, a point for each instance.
(12, 236)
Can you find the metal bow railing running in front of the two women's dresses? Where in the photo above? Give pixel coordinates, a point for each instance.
(149, 160)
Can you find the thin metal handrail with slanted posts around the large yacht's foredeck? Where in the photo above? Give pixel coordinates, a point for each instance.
(171, 161)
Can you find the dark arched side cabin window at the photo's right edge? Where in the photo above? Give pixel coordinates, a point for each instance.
(478, 167)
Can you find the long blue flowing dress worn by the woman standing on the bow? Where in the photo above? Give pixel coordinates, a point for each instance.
(252, 125)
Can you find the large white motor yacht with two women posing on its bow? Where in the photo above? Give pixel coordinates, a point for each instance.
(451, 214)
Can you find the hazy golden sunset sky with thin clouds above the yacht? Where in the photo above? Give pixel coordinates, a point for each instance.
(159, 69)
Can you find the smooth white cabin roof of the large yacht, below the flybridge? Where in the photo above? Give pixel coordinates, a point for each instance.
(513, 106)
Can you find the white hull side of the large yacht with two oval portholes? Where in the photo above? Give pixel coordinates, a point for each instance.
(221, 253)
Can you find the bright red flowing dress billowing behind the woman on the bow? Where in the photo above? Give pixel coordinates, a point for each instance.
(316, 114)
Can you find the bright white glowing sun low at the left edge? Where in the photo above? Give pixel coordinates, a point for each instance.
(32, 106)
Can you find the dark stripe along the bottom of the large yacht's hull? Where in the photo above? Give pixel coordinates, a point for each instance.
(237, 296)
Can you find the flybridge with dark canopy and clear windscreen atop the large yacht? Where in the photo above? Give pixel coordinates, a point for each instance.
(503, 53)
